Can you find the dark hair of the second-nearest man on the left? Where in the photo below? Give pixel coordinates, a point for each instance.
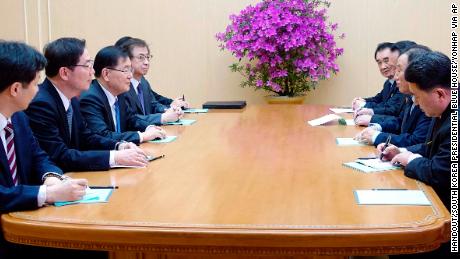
(63, 52)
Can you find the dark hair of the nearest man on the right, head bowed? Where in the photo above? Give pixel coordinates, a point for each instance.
(429, 70)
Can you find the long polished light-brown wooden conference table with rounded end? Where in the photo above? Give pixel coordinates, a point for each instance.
(249, 183)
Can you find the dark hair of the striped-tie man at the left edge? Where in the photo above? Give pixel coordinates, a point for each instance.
(18, 63)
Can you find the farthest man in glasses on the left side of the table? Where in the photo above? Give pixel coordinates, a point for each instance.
(149, 105)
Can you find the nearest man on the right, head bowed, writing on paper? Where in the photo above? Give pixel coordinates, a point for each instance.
(429, 80)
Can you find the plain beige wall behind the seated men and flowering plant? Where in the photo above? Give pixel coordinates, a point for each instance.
(187, 59)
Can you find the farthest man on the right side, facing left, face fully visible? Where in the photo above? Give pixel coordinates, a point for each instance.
(389, 101)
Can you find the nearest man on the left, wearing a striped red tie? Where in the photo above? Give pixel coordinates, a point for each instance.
(28, 180)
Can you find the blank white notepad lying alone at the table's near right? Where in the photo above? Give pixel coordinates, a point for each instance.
(391, 197)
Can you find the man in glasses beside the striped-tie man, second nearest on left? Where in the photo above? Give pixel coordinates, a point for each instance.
(56, 120)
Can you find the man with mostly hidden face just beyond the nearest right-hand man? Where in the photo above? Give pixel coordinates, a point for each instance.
(411, 126)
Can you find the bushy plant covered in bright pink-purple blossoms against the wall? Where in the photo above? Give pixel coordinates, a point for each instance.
(288, 43)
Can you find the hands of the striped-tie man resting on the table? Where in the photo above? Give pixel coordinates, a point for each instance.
(69, 190)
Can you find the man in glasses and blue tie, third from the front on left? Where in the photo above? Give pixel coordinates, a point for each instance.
(106, 110)
